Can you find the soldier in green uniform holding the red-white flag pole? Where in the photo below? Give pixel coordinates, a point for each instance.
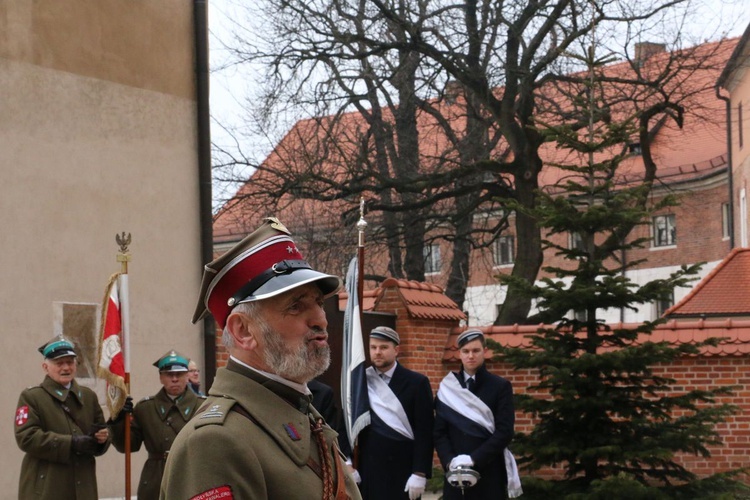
(157, 420)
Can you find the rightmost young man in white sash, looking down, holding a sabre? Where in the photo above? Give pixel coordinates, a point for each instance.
(474, 419)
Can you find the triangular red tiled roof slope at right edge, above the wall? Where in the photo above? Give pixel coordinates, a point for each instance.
(722, 292)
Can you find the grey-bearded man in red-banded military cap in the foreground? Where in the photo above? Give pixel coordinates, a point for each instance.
(258, 436)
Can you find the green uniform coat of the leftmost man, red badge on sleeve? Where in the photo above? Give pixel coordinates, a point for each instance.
(44, 431)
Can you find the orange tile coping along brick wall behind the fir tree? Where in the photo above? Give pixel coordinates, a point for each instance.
(735, 336)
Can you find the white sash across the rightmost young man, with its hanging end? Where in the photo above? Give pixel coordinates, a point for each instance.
(466, 403)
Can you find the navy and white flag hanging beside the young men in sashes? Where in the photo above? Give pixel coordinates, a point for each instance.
(354, 400)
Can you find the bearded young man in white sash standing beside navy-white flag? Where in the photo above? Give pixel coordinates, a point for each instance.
(395, 450)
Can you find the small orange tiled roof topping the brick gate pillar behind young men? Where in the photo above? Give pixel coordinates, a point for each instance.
(425, 300)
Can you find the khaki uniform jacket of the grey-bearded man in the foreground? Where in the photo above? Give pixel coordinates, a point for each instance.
(222, 453)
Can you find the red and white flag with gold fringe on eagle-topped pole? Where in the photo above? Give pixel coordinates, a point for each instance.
(111, 359)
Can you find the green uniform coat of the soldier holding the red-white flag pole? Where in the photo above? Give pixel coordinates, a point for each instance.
(156, 422)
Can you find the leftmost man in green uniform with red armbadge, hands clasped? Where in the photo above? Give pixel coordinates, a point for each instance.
(60, 428)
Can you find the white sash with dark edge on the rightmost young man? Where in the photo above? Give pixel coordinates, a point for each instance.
(461, 407)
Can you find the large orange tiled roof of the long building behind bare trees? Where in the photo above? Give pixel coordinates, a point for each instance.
(689, 153)
